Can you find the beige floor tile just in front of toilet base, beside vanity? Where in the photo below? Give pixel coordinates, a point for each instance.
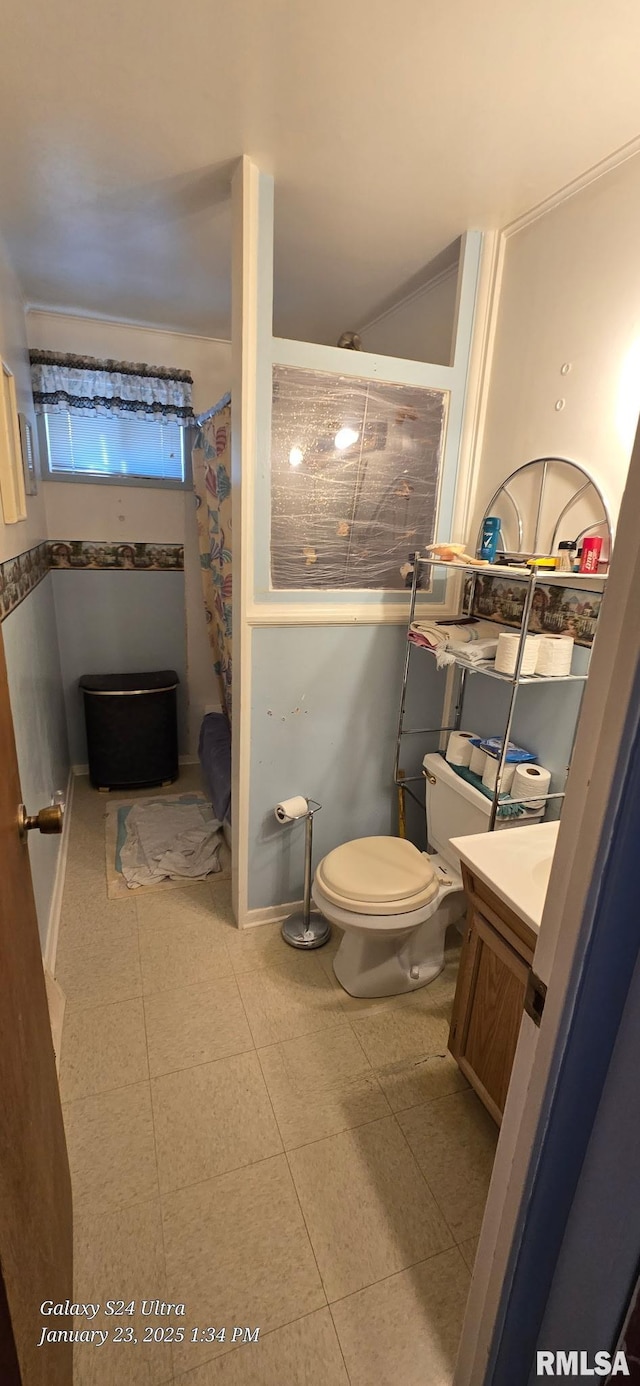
(415, 1030)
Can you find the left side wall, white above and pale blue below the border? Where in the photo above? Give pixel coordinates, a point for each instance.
(30, 635)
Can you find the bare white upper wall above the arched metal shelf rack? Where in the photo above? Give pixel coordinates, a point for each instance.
(570, 295)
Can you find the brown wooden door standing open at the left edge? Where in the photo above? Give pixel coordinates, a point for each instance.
(35, 1187)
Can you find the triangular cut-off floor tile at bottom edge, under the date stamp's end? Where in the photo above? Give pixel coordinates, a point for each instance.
(299, 1355)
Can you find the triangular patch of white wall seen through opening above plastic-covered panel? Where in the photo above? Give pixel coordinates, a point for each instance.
(419, 328)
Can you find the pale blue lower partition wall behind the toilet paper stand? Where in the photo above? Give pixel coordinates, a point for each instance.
(325, 712)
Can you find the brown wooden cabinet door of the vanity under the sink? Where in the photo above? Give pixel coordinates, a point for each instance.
(488, 1012)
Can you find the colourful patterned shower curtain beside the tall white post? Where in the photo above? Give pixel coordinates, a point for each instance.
(213, 484)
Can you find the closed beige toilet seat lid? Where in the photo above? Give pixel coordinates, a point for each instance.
(377, 877)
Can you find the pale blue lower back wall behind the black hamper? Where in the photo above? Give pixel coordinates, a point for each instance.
(118, 623)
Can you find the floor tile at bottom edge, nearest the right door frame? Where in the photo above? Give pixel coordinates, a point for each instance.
(405, 1331)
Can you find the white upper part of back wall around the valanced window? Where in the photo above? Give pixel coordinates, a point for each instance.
(143, 515)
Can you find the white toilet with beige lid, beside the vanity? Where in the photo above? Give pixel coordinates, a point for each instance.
(395, 903)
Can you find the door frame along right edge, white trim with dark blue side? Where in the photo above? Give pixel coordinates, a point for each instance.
(583, 956)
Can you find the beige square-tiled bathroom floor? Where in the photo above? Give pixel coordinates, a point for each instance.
(247, 1139)
